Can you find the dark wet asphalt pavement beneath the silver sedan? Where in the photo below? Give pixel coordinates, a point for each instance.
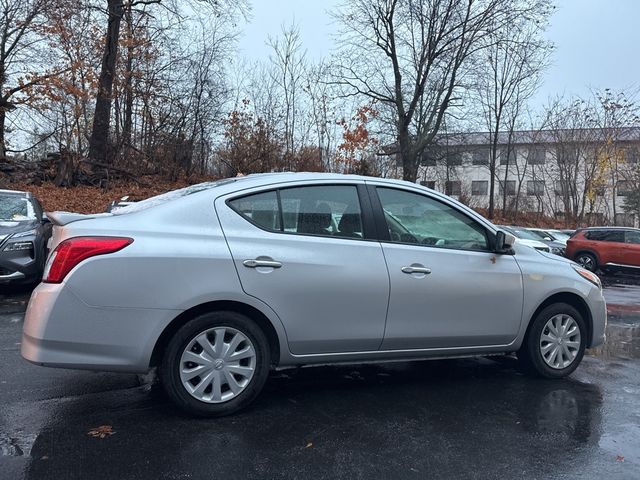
(477, 418)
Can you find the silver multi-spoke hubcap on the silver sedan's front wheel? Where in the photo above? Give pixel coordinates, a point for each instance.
(560, 341)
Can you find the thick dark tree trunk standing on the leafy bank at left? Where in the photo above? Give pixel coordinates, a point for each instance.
(99, 140)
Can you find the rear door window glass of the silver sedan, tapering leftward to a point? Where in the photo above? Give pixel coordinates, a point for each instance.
(327, 210)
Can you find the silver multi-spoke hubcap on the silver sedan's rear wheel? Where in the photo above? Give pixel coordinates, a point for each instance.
(217, 364)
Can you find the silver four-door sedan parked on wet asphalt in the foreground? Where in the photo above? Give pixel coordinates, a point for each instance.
(218, 283)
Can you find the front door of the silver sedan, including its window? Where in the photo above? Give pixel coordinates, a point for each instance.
(448, 289)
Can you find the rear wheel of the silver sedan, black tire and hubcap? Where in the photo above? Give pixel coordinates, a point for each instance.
(210, 372)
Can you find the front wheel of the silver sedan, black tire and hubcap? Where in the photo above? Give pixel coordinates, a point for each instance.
(570, 350)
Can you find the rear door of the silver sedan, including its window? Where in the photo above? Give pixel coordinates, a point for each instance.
(305, 252)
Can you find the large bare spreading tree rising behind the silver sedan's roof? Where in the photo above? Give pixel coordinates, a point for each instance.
(412, 56)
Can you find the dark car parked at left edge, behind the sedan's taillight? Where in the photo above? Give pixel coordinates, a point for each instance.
(24, 233)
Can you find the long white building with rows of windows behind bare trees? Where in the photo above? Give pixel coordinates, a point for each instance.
(583, 175)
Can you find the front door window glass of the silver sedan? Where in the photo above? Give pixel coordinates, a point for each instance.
(415, 218)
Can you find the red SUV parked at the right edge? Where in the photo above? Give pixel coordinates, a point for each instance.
(605, 247)
